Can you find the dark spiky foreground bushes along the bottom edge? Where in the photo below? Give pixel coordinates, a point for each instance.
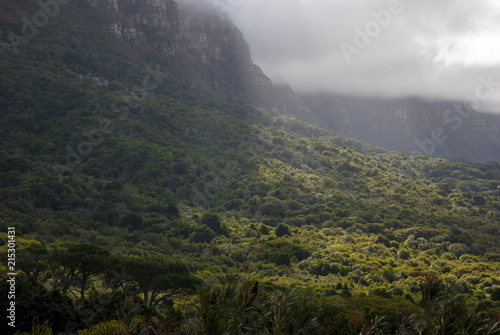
(242, 307)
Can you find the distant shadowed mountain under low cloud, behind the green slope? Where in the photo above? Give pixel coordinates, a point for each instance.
(409, 125)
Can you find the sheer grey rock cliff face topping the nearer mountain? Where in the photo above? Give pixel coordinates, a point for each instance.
(195, 32)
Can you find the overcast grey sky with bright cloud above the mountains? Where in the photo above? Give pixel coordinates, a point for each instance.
(432, 48)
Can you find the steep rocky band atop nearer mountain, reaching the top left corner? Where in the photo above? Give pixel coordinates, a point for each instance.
(204, 44)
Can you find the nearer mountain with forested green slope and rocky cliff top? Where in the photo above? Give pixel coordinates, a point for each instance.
(142, 187)
